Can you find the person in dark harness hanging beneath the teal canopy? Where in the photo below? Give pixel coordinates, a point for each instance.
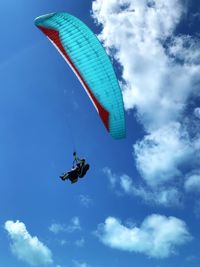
(79, 170)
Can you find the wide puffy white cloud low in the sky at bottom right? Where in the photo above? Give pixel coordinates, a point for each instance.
(158, 236)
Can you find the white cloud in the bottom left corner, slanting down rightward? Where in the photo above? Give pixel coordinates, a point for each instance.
(27, 248)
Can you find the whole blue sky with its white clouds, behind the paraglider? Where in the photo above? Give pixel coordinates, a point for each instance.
(140, 202)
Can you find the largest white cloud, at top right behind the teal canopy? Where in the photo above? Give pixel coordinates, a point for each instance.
(155, 80)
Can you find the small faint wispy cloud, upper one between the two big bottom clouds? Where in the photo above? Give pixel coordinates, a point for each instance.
(73, 226)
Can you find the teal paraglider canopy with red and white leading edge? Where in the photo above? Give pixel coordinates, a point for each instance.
(88, 59)
